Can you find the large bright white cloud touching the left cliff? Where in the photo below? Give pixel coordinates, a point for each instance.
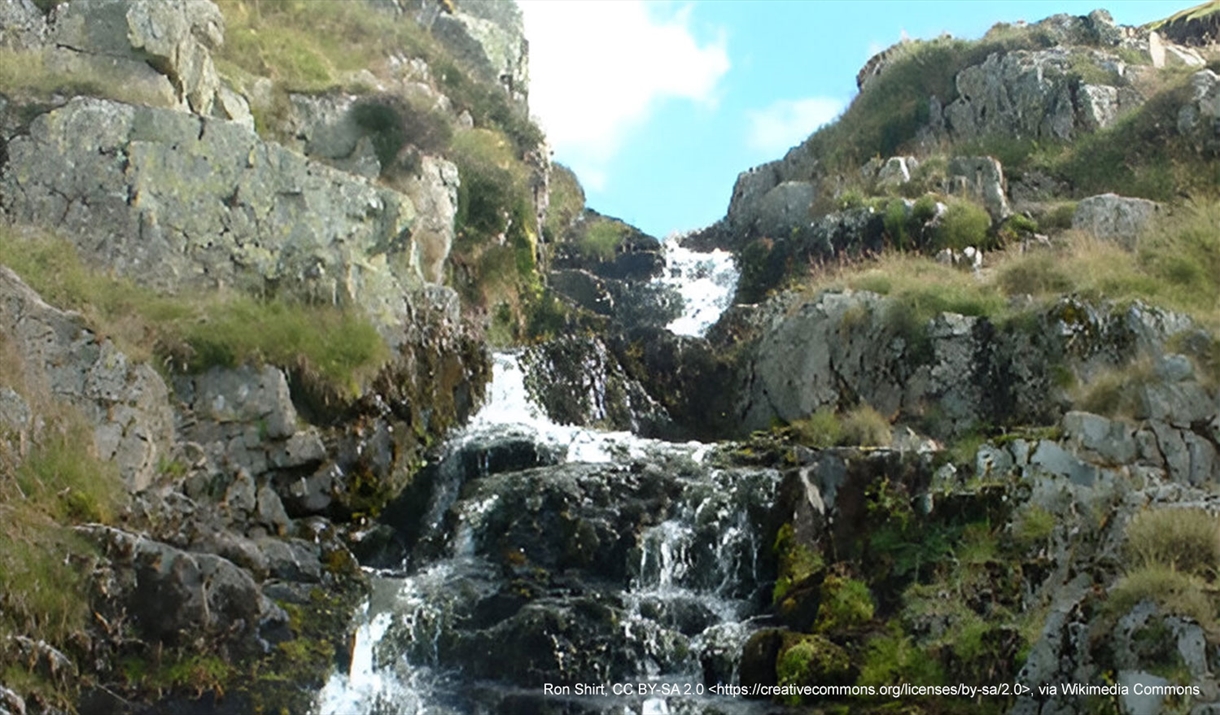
(600, 68)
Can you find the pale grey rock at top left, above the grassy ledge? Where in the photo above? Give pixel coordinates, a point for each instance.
(174, 36)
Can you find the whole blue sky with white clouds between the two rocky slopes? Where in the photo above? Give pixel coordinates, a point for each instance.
(658, 106)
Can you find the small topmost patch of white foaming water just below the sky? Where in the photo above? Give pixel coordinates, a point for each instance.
(707, 284)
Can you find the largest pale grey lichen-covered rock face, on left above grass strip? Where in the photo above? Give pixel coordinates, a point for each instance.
(179, 202)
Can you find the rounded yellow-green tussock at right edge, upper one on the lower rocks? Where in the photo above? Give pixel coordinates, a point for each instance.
(1185, 540)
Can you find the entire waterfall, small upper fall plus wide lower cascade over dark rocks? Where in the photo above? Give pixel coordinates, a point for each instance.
(554, 563)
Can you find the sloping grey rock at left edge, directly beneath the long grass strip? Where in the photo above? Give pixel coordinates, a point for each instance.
(127, 403)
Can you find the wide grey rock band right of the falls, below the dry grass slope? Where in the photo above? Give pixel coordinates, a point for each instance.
(951, 374)
